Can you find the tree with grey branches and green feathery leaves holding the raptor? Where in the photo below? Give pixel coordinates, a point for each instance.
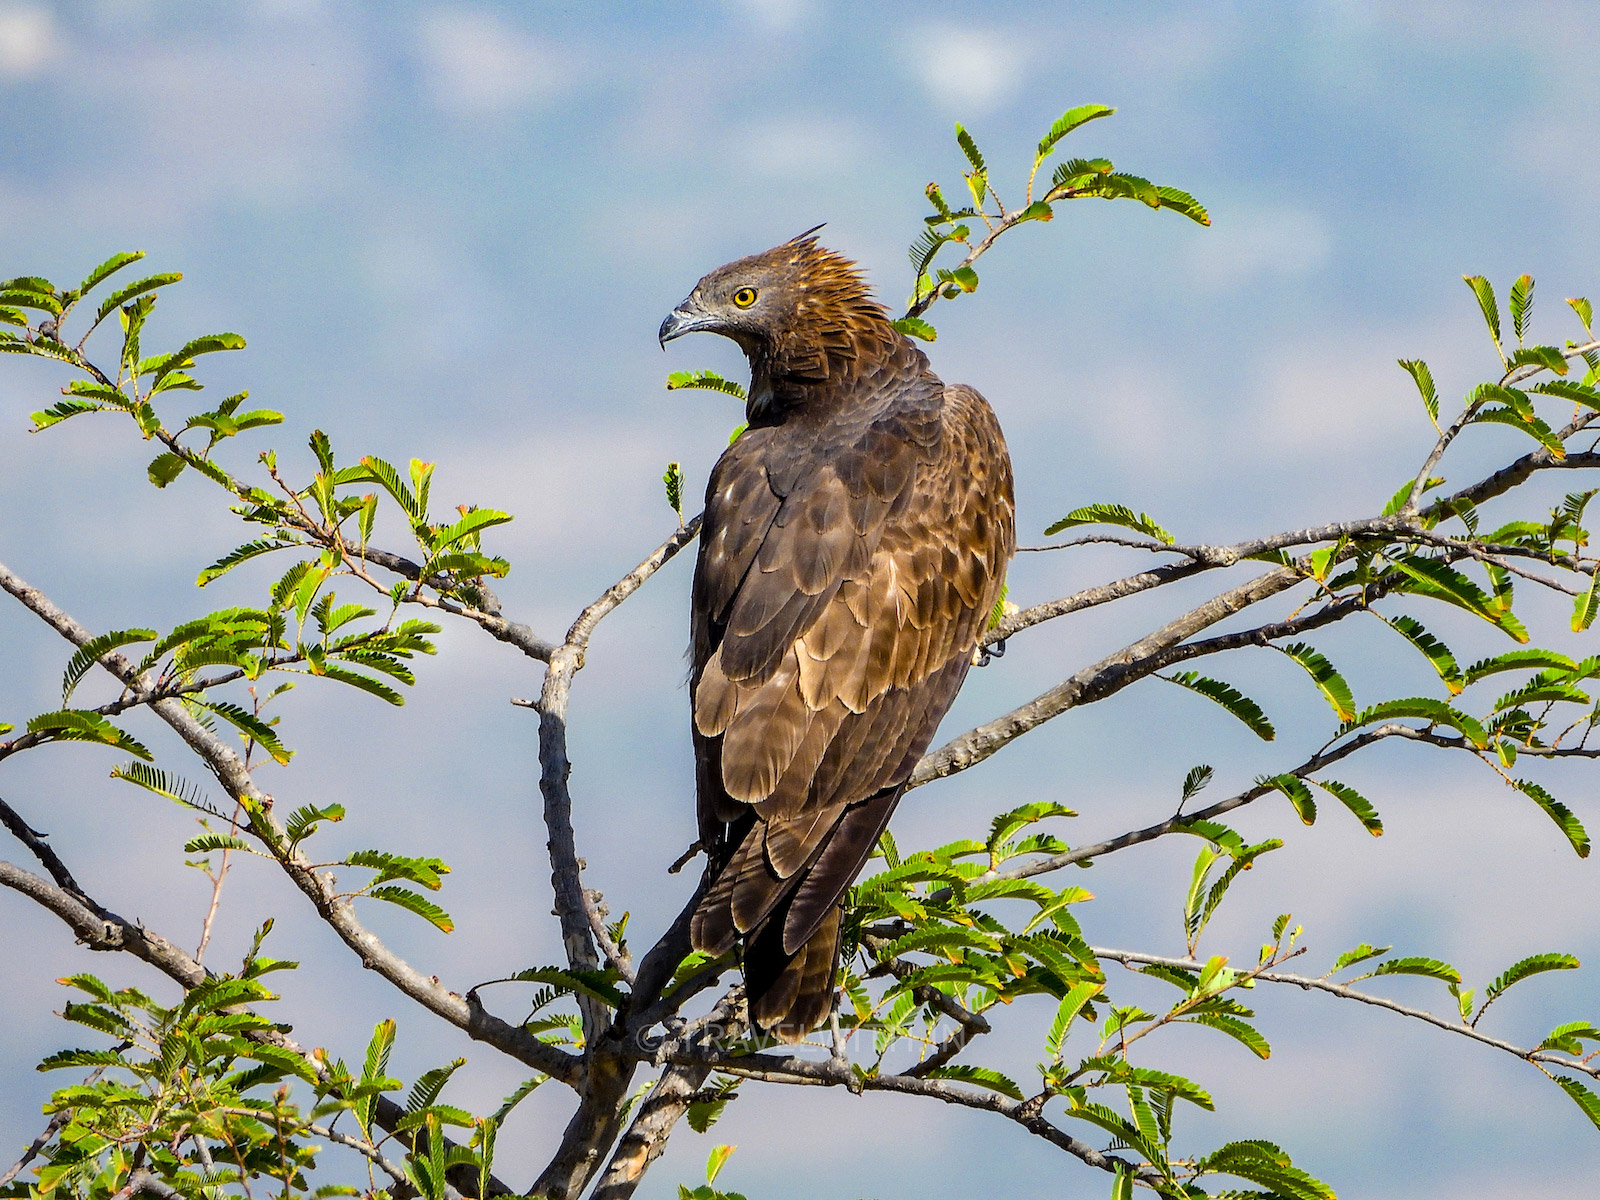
(199, 1092)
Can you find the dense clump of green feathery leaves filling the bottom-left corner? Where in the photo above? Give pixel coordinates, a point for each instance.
(210, 1100)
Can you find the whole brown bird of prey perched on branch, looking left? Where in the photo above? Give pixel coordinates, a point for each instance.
(855, 542)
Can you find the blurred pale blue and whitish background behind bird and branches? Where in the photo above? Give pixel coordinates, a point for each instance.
(450, 231)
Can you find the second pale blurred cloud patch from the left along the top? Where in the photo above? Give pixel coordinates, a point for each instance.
(479, 65)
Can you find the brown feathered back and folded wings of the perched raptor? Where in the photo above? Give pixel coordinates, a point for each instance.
(836, 610)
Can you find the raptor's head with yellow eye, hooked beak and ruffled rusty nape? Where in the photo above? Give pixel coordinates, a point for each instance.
(799, 311)
